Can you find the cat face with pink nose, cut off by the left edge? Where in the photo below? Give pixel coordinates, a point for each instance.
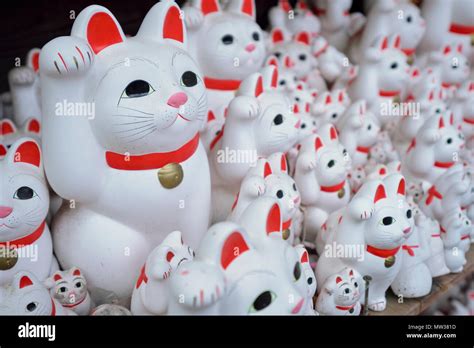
(24, 198)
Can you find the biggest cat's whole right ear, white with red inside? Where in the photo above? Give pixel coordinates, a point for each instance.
(164, 22)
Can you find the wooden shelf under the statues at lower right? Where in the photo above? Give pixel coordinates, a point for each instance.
(440, 287)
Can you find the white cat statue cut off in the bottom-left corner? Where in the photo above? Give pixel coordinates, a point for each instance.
(27, 295)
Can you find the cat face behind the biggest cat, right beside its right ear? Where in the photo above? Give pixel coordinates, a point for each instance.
(229, 44)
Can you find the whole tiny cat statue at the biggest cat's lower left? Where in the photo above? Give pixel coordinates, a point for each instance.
(69, 288)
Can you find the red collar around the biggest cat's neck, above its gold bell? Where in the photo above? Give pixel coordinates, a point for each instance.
(152, 160)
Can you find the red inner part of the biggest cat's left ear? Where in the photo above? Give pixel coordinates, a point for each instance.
(102, 32)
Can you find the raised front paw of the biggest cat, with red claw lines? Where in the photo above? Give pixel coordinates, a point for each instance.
(65, 56)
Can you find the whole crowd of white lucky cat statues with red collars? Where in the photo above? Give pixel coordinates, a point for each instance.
(205, 166)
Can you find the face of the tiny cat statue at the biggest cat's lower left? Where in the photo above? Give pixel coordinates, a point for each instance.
(68, 287)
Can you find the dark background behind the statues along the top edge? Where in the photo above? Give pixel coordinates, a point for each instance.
(28, 24)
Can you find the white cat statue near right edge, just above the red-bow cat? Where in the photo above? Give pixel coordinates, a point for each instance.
(433, 151)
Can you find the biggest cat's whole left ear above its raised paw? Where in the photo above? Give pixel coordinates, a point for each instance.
(99, 27)
